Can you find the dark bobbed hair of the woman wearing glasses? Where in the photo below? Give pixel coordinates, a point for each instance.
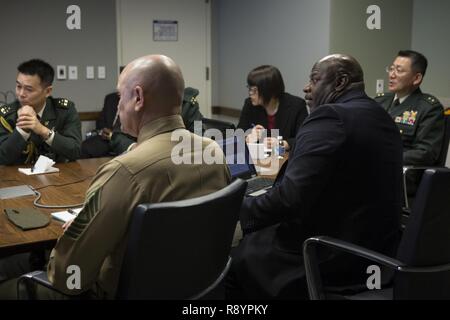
(268, 80)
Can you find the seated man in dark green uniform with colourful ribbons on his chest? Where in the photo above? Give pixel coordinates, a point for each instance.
(419, 116)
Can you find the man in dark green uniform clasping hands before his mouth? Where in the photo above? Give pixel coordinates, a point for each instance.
(38, 124)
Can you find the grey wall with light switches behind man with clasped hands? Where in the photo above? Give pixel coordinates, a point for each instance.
(37, 29)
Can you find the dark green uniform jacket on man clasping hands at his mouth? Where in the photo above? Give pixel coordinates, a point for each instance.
(59, 115)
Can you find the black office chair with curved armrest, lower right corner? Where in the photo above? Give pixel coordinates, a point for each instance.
(422, 266)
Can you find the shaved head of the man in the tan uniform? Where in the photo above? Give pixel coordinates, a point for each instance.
(150, 87)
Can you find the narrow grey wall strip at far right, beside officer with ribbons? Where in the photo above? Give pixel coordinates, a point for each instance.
(430, 36)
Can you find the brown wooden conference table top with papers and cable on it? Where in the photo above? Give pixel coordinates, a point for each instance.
(65, 188)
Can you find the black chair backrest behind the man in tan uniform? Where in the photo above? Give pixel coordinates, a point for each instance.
(175, 250)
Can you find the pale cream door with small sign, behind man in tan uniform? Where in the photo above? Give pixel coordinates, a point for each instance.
(190, 51)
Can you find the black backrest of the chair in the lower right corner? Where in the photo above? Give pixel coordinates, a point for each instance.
(426, 240)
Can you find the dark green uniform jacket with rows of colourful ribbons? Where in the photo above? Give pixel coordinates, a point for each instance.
(420, 119)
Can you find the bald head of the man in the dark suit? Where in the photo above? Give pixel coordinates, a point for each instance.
(331, 77)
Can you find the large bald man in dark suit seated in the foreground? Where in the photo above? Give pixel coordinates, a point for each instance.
(342, 180)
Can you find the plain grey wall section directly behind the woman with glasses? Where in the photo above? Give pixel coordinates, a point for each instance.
(290, 34)
